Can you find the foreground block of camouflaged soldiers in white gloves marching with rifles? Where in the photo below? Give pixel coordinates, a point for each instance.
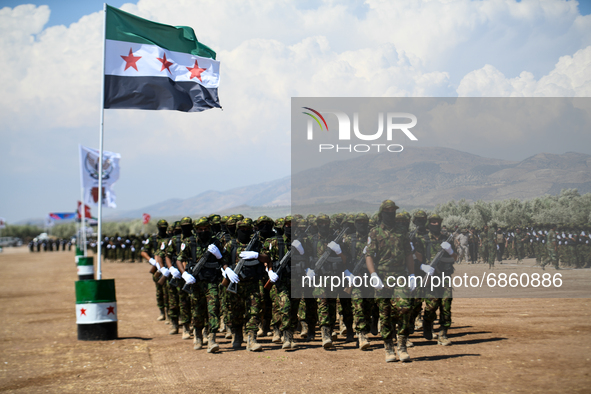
(250, 277)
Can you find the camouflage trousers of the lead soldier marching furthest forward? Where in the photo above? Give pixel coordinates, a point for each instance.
(395, 310)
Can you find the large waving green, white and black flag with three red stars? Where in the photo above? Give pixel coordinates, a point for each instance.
(149, 65)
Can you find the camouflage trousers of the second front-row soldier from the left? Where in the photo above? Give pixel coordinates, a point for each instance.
(244, 307)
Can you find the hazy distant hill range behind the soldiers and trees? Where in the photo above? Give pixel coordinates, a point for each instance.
(421, 177)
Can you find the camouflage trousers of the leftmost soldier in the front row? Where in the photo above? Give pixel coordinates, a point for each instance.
(205, 306)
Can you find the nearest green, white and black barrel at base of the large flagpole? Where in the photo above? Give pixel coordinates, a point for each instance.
(96, 310)
